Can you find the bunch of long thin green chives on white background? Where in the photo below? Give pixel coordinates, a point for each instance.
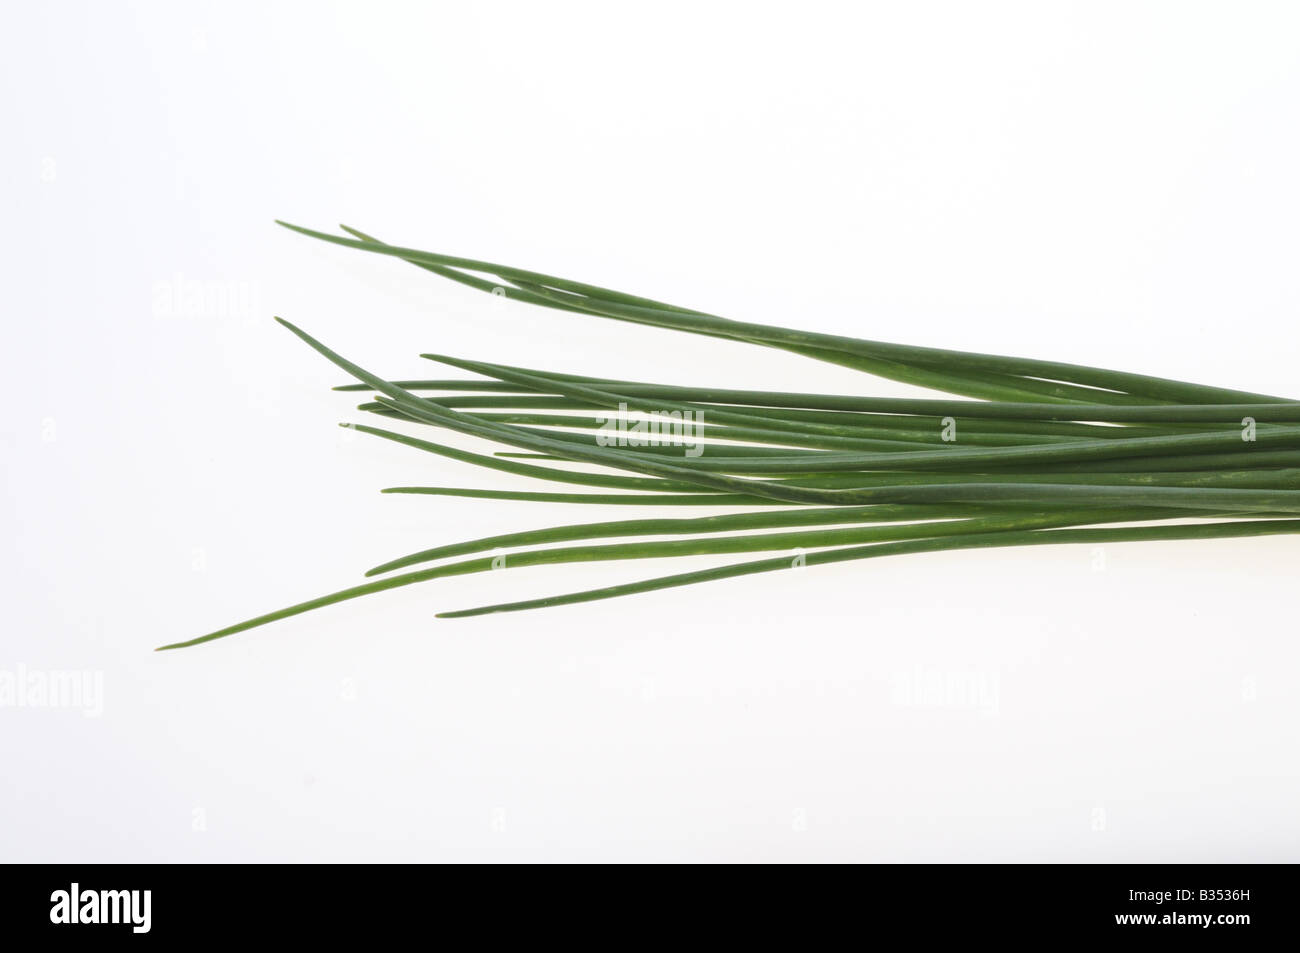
(1050, 453)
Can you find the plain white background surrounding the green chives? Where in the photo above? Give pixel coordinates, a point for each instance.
(1107, 184)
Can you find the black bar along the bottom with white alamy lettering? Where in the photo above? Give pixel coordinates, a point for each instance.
(915, 906)
